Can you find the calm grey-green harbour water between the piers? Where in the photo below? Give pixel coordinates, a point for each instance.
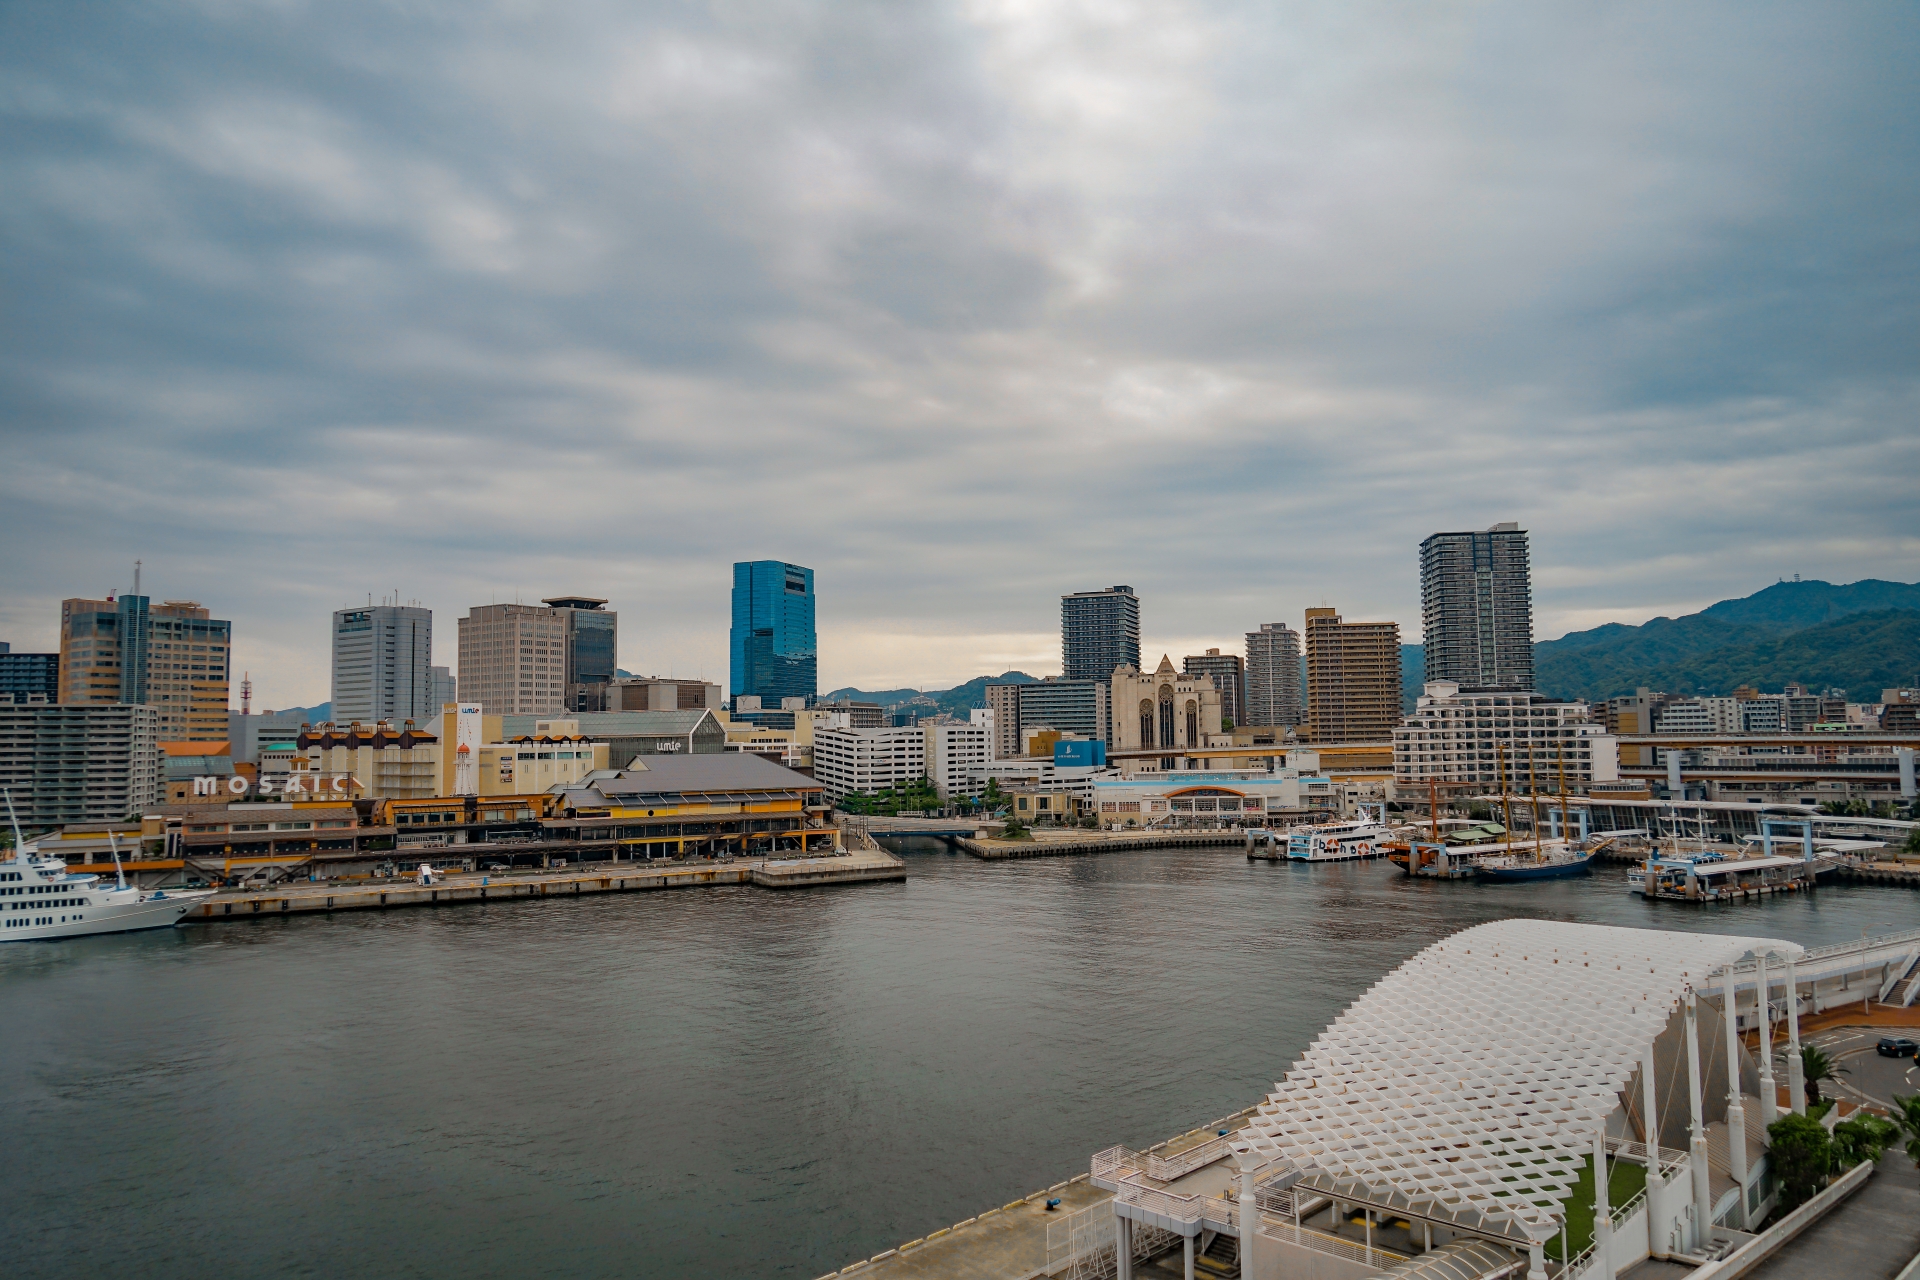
(723, 1081)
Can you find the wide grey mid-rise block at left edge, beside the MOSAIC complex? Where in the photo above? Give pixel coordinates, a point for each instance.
(80, 763)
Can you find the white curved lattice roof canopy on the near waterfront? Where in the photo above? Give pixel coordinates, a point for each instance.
(1470, 1083)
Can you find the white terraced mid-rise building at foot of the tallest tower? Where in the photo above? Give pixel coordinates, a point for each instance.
(1487, 740)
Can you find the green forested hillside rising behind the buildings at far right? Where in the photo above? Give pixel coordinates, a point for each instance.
(1744, 642)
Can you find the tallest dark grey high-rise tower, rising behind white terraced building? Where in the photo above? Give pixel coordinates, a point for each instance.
(1477, 609)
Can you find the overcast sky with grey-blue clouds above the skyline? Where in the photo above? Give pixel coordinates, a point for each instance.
(963, 306)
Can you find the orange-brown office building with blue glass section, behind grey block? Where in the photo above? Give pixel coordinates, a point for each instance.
(172, 657)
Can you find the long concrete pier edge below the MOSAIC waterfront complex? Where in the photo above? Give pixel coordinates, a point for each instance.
(299, 897)
